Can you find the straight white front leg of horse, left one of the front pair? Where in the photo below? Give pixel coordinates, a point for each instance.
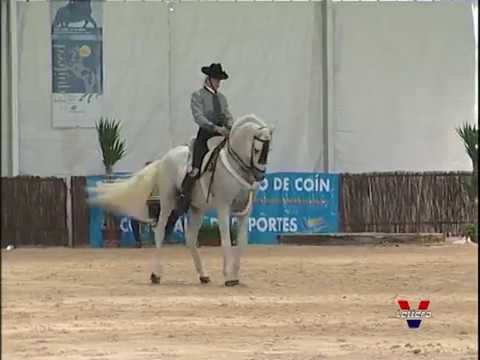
(231, 279)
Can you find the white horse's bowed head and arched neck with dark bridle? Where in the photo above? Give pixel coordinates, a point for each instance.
(249, 144)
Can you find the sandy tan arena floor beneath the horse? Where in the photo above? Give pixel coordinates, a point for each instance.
(299, 303)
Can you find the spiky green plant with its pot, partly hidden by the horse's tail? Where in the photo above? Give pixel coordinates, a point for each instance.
(113, 149)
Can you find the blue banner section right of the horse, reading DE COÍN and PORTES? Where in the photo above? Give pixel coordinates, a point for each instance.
(288, 203)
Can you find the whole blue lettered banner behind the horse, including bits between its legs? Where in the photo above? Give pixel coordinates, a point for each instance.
(286, 203)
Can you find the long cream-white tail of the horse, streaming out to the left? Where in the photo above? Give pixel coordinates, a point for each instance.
(128, 197)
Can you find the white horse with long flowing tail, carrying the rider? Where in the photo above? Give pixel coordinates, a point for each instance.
(241, 166)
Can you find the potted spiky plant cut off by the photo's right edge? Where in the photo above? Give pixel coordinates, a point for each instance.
(469, 134)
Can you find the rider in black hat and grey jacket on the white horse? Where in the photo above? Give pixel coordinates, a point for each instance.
(210, 111)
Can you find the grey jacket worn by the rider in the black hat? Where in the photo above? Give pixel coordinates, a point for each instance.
(202, 110)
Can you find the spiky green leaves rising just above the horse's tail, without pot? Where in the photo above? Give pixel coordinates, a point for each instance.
(112, 146)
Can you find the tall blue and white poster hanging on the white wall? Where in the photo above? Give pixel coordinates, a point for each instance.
(77, 62)
